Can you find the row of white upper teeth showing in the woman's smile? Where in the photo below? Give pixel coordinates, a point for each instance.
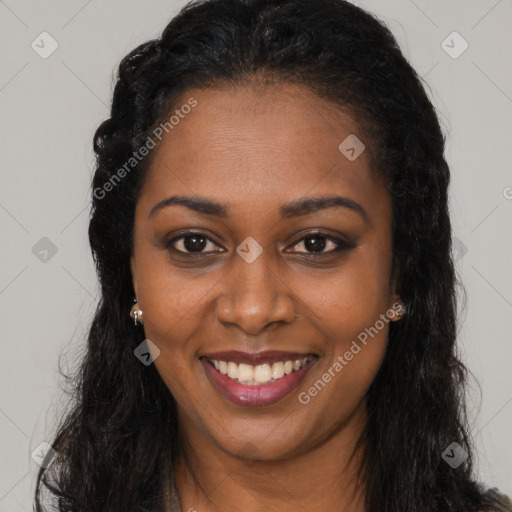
(260, 374)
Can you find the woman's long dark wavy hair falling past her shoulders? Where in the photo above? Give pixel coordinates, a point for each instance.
(117, 443)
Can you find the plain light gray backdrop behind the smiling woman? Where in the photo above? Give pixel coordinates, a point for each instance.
(50, 109)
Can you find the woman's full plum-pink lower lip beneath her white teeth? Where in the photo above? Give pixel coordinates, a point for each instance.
(259, 395)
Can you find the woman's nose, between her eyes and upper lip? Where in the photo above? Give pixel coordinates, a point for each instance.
(253, 296)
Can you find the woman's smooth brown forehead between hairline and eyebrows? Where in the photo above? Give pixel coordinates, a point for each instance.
(245, 144)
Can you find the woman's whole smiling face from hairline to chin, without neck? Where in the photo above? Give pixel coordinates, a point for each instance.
(259, 278)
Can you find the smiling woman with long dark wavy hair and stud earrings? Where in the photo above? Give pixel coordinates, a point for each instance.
(277, 323)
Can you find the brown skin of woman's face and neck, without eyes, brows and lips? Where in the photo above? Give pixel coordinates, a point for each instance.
(255, 148)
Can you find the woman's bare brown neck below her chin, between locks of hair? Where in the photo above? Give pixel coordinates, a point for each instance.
(321, 478)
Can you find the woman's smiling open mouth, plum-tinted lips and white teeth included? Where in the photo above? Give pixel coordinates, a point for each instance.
(256, 379)
